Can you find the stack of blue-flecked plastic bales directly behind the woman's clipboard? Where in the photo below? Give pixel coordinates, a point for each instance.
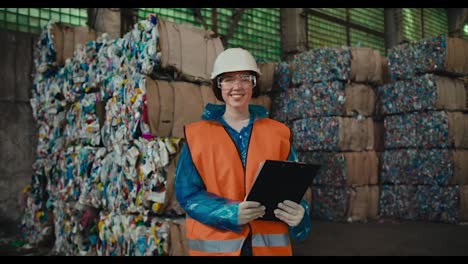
(327, 97)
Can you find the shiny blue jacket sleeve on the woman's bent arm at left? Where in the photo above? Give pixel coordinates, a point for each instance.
(199, 204)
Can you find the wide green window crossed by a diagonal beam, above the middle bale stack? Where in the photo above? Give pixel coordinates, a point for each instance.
(322, 32)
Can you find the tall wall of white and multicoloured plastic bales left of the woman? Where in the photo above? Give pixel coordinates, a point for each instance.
(89, 162)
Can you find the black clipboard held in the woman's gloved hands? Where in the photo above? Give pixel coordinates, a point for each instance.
(277, 181)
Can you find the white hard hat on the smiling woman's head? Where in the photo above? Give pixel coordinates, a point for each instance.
(234, 59)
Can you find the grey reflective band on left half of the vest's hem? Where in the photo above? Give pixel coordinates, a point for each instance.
(215, 246)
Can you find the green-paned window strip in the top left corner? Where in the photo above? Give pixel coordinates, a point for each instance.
(33, 19)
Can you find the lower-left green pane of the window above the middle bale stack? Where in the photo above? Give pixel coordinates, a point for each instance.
(324, 33)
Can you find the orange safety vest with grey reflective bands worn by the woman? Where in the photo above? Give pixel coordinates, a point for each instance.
(219, 165)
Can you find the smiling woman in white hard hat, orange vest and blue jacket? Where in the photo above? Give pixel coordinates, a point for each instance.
(218, 163)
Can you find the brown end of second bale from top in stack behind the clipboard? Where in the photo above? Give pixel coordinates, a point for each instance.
(360, 98)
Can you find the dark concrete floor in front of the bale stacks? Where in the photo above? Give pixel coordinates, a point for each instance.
(345, 239)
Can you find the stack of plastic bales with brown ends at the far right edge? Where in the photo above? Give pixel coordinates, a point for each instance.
(424, 172)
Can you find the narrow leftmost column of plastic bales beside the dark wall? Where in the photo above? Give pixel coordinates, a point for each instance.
(49, 108)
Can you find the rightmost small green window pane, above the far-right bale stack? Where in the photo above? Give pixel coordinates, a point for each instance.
(435, 22)
